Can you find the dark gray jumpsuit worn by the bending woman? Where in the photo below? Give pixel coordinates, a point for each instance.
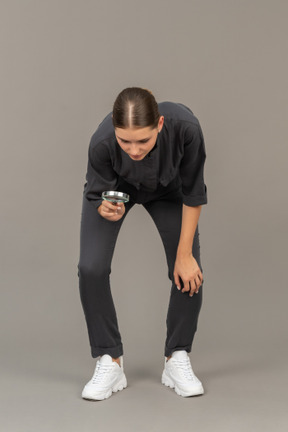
(171, 175)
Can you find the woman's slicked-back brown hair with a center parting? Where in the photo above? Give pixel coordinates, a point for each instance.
(135, 107)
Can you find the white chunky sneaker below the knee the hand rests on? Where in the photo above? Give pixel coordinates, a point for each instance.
(178, 374)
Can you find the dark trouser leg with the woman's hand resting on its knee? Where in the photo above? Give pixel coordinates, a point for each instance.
(183, 310)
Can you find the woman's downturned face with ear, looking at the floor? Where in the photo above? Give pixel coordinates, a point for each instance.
(137, 143)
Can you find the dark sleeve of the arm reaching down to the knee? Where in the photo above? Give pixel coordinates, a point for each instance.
(194, 189)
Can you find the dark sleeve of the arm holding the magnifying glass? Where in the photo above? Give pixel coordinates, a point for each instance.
(100, 175)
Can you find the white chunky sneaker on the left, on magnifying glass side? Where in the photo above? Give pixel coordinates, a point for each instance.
(108, 377)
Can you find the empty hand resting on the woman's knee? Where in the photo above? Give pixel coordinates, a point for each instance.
(186, 267)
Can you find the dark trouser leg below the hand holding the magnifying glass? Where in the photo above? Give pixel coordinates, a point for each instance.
(97, 242)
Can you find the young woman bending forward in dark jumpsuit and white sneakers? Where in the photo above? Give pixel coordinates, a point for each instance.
(155, 153)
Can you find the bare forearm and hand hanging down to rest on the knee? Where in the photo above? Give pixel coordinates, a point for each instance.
(186, 266)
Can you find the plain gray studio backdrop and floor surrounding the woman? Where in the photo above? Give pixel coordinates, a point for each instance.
(63, 62)
